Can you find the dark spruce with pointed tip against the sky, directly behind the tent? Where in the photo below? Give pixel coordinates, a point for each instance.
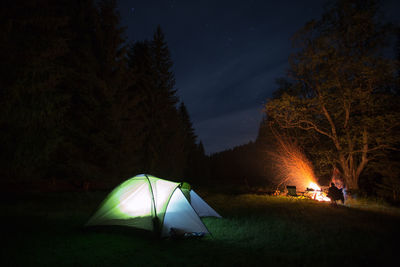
(163, 149)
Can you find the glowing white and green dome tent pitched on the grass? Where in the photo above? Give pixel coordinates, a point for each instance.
(154, 204)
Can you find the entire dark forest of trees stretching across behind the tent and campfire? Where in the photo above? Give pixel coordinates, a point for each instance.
(83, 108)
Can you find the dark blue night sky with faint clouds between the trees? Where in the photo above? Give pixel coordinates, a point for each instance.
(227, 55)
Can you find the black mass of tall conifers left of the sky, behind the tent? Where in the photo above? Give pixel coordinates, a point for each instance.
(80, 103)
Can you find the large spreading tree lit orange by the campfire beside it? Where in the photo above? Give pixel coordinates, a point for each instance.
(341, 87)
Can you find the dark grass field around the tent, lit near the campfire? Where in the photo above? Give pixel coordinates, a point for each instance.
(47, 230)
